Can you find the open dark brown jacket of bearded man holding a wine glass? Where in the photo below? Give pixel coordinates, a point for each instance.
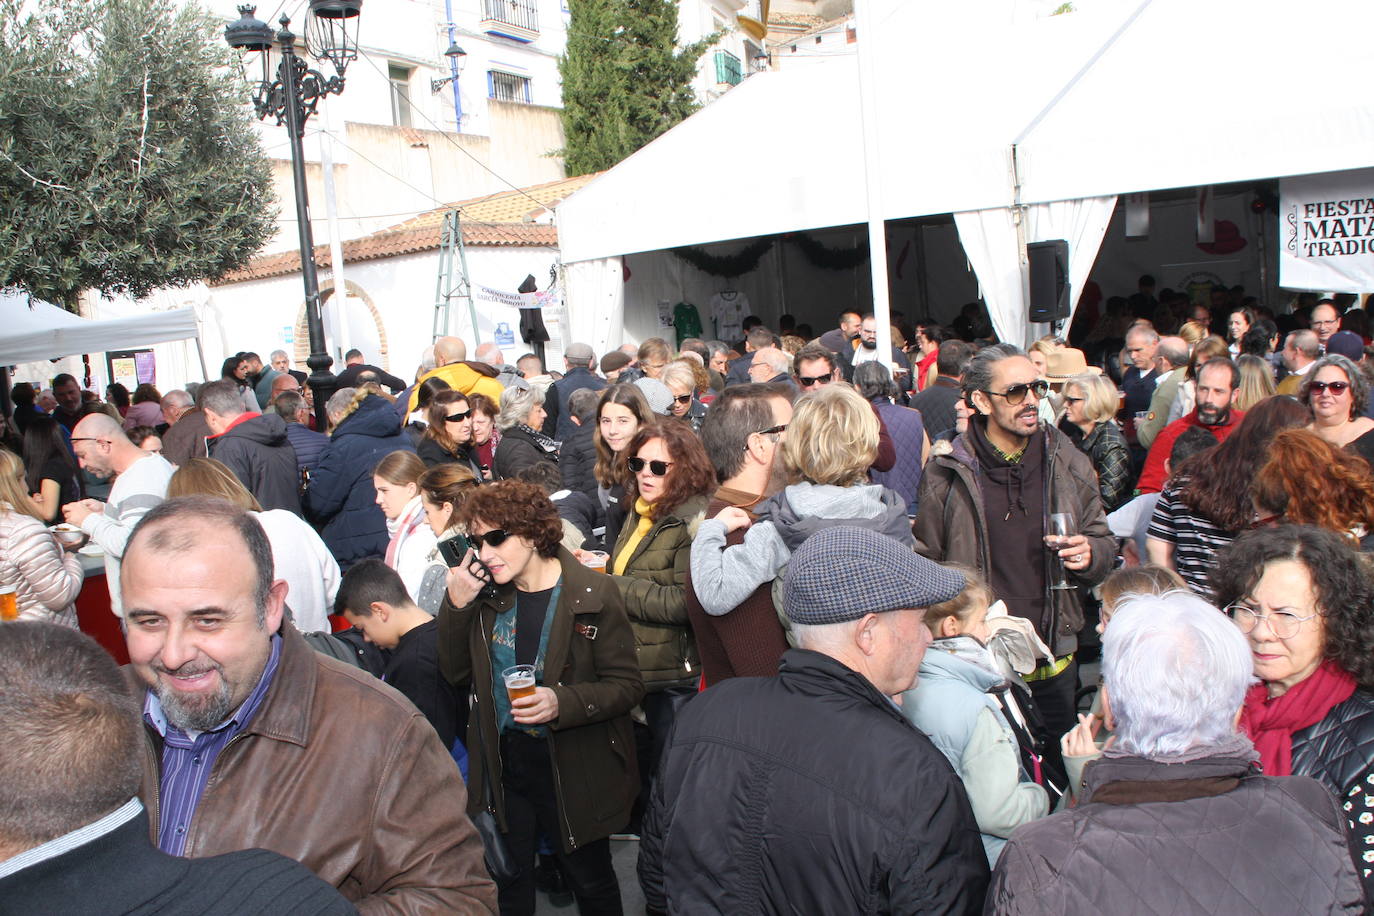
(951, 527)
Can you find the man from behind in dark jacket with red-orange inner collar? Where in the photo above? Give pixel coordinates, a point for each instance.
(252, 446)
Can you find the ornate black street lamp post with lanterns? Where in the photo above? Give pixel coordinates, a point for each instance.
(291, 94)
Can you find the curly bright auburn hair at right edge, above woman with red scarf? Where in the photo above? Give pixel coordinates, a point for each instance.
(1309, 481)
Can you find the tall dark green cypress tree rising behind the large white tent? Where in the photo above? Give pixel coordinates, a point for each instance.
(626, 80)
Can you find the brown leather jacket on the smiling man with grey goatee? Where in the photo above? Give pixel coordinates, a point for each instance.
(344, 775)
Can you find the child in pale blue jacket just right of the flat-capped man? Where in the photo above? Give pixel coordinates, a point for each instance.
(961, 702)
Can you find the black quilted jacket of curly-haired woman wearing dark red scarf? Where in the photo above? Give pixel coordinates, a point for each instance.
(1339, 753)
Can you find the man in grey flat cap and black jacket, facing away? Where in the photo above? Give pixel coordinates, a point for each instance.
(810, 792)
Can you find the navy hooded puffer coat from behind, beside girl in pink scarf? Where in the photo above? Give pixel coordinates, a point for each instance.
(341, 496)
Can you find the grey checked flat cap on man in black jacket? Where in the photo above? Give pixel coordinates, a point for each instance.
(843, 573)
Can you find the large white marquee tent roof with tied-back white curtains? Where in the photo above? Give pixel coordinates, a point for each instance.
(989, 119)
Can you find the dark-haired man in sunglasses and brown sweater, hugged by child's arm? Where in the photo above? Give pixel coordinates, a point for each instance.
(743, 433)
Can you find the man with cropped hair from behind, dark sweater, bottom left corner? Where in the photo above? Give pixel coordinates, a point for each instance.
(74, 836)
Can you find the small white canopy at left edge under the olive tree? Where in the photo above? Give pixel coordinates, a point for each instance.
(42, 332)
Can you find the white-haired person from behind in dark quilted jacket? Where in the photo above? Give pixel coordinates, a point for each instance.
(1177, 814)
